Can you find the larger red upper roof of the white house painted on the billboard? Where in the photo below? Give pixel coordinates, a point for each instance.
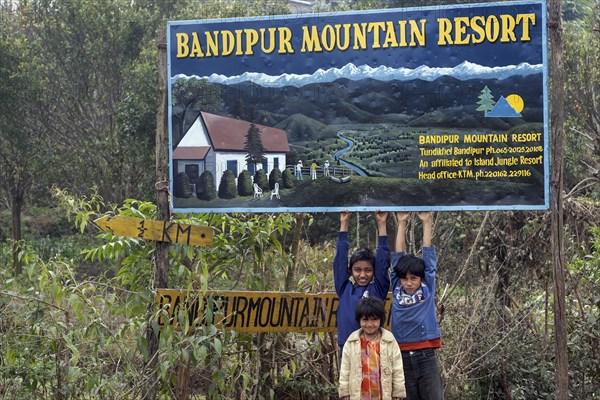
(229, 134)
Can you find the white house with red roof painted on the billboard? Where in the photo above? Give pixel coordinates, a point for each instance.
(216, 143)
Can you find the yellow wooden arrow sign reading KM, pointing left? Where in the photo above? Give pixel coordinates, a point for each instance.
(163, 231)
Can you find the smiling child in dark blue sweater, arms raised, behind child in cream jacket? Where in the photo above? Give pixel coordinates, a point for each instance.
(365, 275)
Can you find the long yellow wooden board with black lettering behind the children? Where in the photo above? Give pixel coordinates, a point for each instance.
(252, 311)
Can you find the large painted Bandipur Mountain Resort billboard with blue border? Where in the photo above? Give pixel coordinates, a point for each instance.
(437, 108)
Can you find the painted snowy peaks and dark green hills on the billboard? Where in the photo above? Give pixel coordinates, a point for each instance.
(382, 119)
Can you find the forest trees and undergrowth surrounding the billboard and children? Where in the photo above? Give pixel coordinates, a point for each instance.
(78, 101)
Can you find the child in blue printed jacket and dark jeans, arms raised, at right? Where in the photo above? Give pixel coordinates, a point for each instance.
(414, 321)
